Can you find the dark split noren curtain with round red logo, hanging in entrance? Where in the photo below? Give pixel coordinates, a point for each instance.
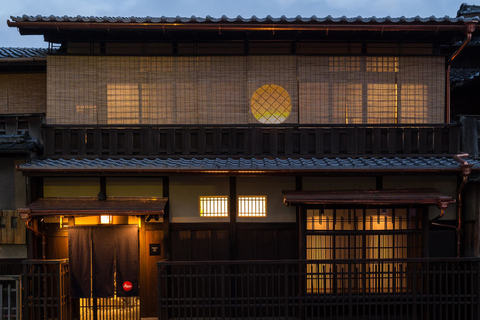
(95, 251)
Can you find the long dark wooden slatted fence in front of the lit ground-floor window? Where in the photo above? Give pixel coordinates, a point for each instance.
(320, 289)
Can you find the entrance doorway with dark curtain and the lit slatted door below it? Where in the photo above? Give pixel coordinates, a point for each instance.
(104, 265)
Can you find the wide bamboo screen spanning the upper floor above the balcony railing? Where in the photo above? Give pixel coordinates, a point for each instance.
(224, 90)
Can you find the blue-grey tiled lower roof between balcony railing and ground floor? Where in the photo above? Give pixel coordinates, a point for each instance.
(250, 164)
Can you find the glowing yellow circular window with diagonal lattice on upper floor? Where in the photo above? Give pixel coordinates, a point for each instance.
(271, 104)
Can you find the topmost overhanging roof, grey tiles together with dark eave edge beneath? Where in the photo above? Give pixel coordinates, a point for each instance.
(239, 23)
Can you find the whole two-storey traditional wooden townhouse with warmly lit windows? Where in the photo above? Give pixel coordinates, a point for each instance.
(312, 164)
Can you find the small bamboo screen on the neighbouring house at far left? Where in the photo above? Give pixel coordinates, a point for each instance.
(23, 93)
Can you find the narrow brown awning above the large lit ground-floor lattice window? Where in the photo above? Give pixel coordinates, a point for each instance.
(369, 197)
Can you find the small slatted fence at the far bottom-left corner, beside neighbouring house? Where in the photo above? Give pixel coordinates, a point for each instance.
(10, 297)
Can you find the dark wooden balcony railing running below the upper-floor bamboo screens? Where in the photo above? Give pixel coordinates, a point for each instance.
(249, 141)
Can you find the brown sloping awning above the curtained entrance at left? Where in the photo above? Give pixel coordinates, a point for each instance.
(93, 206)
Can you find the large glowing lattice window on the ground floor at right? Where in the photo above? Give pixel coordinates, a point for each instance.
(367, 243)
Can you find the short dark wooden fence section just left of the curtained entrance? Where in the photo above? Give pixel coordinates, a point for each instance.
(46, 289)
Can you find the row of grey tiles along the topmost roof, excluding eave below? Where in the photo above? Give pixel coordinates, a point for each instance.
(238, 19)
